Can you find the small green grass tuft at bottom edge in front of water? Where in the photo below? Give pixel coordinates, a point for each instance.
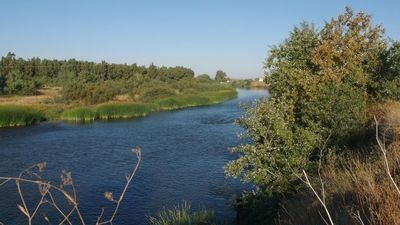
(182, 215)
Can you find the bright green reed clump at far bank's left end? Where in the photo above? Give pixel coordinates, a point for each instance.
(14, 115)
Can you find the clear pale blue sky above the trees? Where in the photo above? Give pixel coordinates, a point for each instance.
(205, 35)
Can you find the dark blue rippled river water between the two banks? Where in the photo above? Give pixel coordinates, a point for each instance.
(183, 152)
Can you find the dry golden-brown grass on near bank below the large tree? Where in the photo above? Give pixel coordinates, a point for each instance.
(356, 189)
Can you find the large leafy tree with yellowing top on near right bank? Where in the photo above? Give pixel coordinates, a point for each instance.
(320, 84)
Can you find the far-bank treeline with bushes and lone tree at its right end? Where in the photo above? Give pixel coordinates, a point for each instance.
(92, 83)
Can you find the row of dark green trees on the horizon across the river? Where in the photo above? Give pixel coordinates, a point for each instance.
(23, 77)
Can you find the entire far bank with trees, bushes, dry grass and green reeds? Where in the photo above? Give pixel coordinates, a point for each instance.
(83, 91)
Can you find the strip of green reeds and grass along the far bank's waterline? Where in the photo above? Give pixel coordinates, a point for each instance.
(14, 114)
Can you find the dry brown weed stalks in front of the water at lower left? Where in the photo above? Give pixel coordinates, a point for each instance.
(48, 191)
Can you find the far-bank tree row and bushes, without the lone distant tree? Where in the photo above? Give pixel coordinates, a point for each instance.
(81, 80)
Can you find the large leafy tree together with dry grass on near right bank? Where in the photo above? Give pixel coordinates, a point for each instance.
(317, 155)
